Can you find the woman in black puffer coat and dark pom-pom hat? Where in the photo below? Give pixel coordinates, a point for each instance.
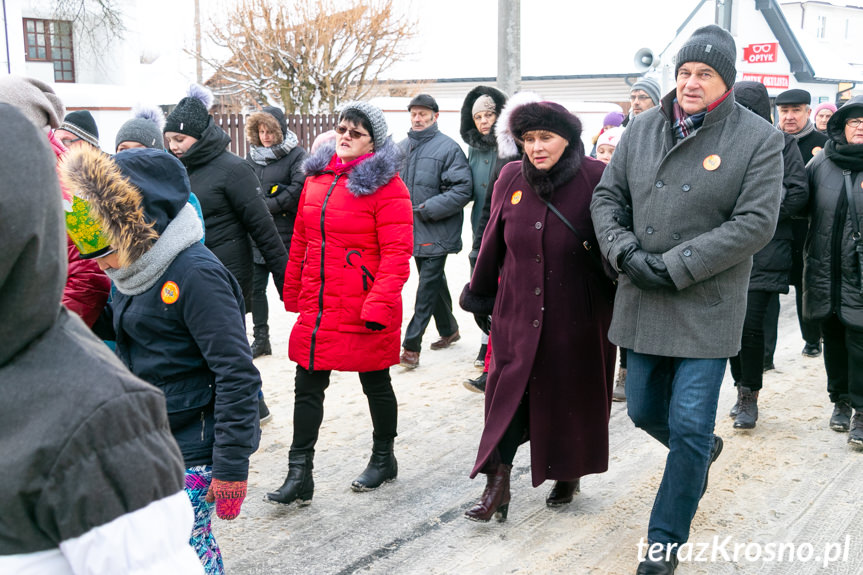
(228, 190)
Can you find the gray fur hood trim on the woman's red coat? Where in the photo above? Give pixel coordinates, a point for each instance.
(366, 177)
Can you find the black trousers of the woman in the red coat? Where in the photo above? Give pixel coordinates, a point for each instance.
(309, 387)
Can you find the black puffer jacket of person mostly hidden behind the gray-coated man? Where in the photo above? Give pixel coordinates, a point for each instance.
(771, 266)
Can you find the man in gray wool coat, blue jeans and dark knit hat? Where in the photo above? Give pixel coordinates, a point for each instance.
(692, 192)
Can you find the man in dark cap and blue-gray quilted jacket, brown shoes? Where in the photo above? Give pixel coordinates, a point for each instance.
(438, 176)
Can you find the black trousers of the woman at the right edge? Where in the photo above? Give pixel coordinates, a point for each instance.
(843, 360)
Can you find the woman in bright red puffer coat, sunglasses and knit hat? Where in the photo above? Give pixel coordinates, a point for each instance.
(350, 257)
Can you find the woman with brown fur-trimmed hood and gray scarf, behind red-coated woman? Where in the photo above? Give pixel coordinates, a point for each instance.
(277, 160)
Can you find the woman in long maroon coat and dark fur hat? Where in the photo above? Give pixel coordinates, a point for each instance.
(552, 365)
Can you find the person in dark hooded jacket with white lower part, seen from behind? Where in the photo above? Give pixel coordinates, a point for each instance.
(92, 479)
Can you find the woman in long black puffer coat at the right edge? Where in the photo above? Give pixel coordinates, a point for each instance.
(833, 272)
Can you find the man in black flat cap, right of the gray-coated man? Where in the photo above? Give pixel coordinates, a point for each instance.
(793, 118)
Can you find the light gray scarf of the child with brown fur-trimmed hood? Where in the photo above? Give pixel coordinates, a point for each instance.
(182, 232)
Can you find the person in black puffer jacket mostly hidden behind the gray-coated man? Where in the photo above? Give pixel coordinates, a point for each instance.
(770, 266)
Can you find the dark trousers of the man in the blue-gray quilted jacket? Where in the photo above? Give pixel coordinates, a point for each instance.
(433, 300)
